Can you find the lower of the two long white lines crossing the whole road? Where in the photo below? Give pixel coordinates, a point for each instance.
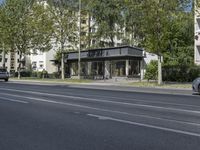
(105, 110)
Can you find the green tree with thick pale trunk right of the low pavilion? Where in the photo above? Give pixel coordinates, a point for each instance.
(158, 15)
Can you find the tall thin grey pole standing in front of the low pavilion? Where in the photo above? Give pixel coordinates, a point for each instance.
(79, 45)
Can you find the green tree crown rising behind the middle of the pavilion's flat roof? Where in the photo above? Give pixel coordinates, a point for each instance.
(107, 16)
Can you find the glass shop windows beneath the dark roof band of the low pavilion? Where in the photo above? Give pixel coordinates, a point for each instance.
(115, 68)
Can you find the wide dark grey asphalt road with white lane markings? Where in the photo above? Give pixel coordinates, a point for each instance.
(60, 117)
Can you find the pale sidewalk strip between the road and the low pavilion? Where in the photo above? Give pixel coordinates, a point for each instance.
(115, 86)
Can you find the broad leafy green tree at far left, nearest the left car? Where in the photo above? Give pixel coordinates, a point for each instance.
(28, 28)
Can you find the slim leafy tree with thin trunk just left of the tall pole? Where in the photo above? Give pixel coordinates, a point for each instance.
(65, 27)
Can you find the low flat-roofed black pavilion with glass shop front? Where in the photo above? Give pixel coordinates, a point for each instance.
(107, 63)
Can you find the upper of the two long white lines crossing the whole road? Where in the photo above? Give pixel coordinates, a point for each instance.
(108, 101)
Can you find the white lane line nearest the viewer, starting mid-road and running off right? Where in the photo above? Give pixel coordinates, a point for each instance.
(144, 125)
